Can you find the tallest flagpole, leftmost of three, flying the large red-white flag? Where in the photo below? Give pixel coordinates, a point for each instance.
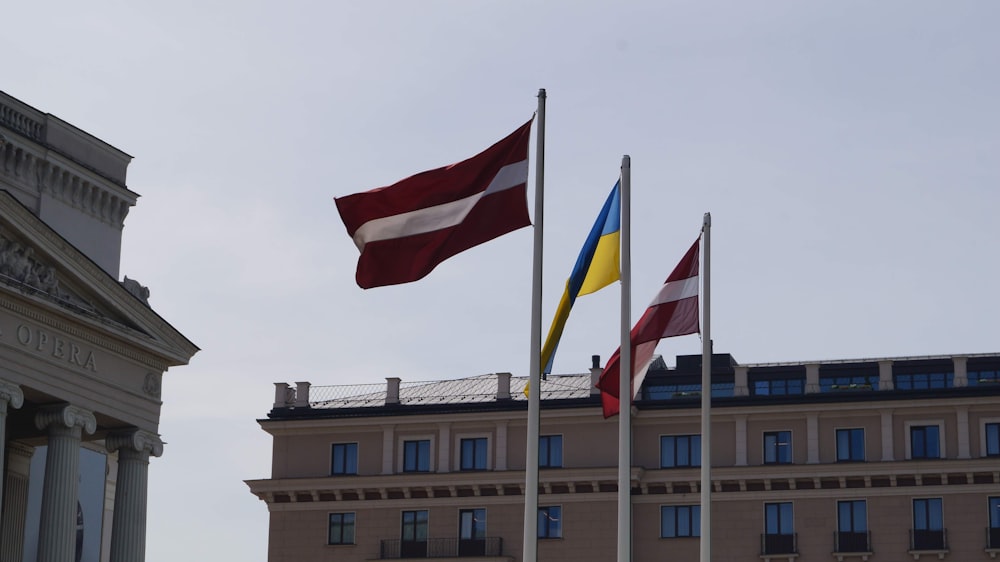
(534, 364)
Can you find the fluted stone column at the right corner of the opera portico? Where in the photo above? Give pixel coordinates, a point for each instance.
(128, 527)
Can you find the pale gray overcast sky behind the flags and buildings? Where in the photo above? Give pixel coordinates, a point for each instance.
(847, 151)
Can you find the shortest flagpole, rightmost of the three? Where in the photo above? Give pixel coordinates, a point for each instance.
(706, 397)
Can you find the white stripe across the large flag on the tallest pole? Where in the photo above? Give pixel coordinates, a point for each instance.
(441, 216)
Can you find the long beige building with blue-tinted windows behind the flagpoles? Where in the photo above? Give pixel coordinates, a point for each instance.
(874, 459)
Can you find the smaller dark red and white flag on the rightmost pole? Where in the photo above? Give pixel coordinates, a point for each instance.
(674, 312)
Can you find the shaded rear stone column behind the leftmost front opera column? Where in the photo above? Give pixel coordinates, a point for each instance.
(15, 502)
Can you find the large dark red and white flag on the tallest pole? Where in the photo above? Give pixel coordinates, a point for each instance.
(406, 229)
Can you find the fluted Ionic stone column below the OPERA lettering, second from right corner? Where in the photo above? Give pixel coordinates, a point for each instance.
(57, 528)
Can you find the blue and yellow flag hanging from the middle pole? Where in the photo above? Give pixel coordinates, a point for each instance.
(596, 268)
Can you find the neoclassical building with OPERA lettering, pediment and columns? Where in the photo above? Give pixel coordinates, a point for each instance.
(82, 354)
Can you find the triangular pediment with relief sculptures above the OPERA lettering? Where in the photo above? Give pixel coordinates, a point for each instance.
(42, 268)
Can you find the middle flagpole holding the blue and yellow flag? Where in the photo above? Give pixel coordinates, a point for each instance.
(625, 374)
